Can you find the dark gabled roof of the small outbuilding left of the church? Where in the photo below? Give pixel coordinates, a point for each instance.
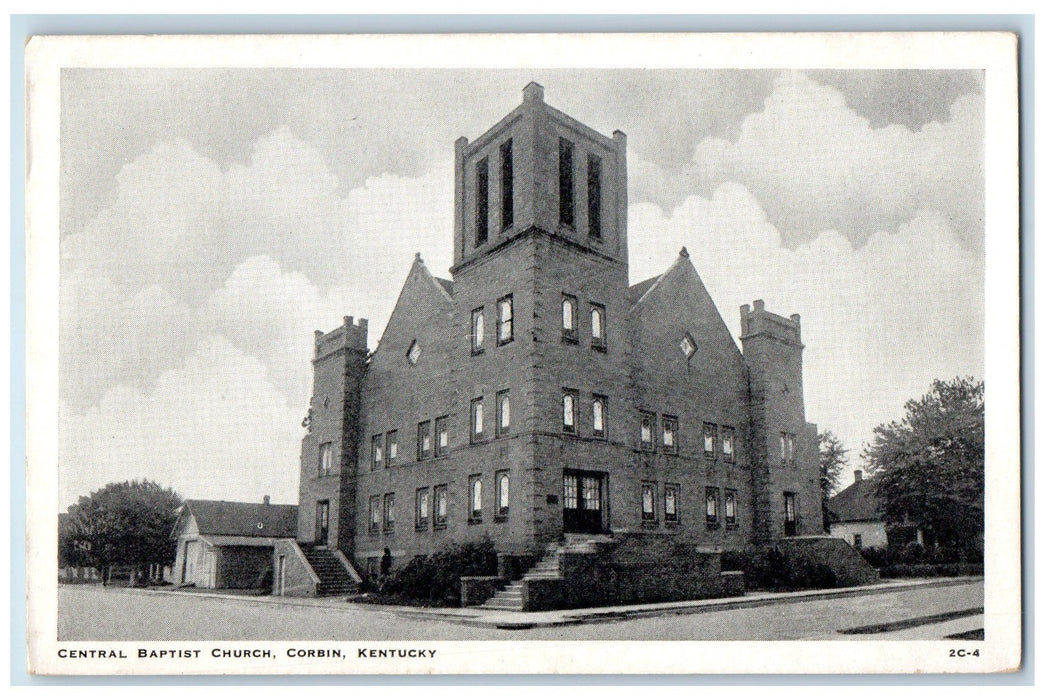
(229, 518)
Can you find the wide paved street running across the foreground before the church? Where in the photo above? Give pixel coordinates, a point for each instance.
(96, 614)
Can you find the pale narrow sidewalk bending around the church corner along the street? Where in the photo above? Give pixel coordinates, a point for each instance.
(512, 620)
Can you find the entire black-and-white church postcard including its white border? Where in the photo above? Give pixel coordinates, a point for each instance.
(456, 355)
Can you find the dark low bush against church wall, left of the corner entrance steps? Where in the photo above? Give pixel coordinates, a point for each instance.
(436, 579)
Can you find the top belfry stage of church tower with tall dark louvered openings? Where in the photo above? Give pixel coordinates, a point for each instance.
(540, 169)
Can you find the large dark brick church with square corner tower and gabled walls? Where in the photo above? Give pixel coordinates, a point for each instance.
(539, 393)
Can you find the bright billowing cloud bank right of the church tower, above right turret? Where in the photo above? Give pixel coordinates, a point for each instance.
(879, 321)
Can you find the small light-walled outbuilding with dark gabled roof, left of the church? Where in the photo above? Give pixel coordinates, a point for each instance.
(226, 545)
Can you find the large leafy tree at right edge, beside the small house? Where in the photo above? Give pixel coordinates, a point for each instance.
(930, 465)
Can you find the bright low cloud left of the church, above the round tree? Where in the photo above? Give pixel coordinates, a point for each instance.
(214, 428)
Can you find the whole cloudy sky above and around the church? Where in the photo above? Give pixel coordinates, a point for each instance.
(213, 219)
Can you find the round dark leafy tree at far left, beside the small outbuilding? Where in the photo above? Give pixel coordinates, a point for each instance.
(127, 524)
